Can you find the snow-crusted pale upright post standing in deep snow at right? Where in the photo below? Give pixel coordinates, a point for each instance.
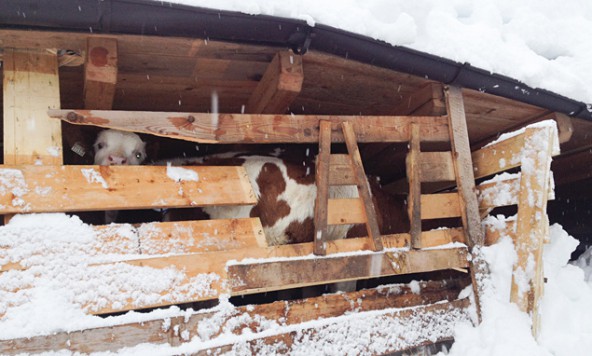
(532, 222)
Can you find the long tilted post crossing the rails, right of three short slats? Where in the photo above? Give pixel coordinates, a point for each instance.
(465, 179)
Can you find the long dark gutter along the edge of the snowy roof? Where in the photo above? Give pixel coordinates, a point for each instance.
(145, 17)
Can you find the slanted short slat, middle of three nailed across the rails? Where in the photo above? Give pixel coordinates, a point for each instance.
(370, 218)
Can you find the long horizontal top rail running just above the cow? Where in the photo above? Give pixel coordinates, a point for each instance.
(252, 128)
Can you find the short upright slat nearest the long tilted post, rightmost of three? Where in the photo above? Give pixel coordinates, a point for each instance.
(413, 175)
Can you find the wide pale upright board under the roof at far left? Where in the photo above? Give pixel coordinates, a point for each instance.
(30, 87)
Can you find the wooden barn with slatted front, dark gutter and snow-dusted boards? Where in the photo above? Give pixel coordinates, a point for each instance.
(198, 82)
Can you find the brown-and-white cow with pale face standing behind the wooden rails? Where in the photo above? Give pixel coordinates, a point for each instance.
(285, 189)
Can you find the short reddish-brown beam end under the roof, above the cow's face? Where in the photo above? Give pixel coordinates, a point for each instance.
(100, 73)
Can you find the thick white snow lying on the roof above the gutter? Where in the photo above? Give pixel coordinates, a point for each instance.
(544, 44)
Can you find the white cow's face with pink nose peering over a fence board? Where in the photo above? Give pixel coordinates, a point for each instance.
(114, 147)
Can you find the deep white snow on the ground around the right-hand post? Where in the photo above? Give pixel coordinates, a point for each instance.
(566, 307)
